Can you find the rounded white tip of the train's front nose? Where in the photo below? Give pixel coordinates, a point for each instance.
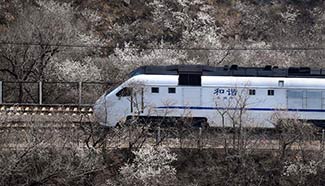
(100, 110)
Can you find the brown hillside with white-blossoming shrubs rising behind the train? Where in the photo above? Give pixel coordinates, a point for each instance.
(134, 33)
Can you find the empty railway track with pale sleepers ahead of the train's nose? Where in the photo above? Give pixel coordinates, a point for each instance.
(44, 116)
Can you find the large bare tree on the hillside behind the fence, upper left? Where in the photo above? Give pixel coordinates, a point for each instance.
(33, 45)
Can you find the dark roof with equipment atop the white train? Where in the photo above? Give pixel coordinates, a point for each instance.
(233, 70)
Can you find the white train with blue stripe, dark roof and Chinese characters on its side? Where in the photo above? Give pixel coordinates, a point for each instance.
(216, 96)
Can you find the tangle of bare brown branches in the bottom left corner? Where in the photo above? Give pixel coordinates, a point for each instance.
(45, 155)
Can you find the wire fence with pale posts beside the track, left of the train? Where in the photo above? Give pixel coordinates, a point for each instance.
(51, 93)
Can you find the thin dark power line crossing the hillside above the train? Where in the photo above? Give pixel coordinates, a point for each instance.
(165, 48)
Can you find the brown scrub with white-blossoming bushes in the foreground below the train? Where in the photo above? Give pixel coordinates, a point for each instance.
(91, 155)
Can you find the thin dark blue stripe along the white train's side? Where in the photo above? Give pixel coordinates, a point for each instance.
(253, 109)
